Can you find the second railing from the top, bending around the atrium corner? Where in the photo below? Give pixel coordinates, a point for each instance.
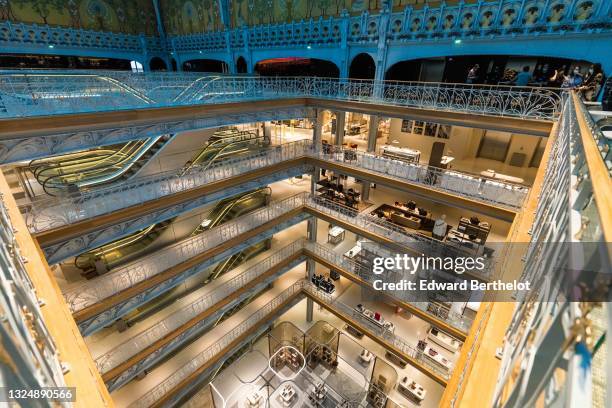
(44, 215)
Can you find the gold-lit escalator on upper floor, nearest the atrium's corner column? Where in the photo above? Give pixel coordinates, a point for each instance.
(225, 144)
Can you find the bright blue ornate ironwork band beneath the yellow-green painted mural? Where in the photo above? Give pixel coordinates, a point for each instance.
(497, 19)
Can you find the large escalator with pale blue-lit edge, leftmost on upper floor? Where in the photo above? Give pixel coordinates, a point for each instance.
(94, 168)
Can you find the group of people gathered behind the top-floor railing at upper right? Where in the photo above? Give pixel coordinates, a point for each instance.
(589, 84)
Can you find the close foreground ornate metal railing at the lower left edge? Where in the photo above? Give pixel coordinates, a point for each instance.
(29, 352)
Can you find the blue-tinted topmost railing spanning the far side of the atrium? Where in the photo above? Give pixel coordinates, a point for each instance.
(31, 94)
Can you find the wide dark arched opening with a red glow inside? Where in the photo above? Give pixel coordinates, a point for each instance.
(295, 66)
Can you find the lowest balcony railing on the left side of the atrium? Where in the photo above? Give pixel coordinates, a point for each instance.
(173, 381)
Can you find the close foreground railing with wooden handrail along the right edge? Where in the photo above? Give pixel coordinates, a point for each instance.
(568, 260)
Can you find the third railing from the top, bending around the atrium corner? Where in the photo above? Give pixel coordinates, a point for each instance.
(125, 277)
